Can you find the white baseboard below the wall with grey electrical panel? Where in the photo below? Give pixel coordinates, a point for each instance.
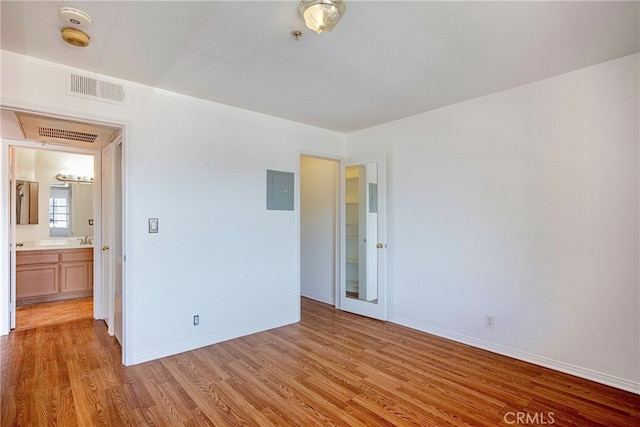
(210, 340)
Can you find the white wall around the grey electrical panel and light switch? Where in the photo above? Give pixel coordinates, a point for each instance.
(200, 168)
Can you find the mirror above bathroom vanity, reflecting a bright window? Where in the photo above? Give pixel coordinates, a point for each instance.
(70, 209)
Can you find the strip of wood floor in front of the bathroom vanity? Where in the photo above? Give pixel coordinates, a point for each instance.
(51, 313)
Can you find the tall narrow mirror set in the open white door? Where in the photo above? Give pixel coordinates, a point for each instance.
(361, 233)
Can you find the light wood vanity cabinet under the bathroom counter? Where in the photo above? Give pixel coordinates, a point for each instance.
(52, 275)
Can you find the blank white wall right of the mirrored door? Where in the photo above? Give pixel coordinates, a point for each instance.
(523, 205)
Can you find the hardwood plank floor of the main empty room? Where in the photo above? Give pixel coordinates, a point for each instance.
(332, 368)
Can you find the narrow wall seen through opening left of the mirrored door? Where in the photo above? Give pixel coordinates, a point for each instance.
(318, 228)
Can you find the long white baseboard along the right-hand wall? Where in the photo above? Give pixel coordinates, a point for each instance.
(567, 368)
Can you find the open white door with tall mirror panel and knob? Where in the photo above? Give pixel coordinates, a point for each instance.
(363, 288)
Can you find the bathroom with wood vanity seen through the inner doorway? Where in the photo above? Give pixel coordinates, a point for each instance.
(54, 271)
